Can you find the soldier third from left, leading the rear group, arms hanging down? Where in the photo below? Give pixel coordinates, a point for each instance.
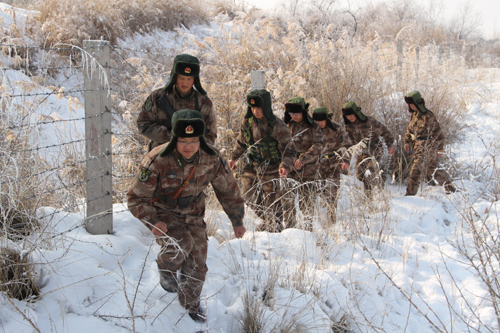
(271, 156)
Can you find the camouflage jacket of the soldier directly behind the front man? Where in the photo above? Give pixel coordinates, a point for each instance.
(152, 120)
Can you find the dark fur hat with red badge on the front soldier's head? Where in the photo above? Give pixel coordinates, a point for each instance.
(187, 124)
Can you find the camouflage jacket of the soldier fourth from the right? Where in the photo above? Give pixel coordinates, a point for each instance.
(308, 140)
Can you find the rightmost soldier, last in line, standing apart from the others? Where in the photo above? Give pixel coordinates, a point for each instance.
(425, 137)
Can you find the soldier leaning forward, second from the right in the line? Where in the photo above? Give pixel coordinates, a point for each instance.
(368, 131)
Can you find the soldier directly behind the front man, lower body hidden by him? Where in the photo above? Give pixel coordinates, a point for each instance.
(154, 120)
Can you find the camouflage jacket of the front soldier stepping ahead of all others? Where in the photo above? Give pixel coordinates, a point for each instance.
(151, 200)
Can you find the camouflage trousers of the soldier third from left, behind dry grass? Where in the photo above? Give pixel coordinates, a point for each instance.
(262, 193)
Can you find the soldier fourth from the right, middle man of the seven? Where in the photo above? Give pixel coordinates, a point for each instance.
(308, 140)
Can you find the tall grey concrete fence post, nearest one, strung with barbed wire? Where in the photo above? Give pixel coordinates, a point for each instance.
(99, 218)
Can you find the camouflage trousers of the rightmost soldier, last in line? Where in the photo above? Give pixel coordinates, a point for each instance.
(425, 167)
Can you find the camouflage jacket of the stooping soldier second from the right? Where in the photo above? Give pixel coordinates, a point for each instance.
(371, 130)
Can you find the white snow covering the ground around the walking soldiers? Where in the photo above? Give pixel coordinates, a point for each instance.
(396, 268)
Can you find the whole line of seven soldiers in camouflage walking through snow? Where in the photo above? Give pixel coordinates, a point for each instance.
(310, 151)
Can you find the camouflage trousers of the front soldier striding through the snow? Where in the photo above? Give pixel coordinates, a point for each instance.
(184, 256)
